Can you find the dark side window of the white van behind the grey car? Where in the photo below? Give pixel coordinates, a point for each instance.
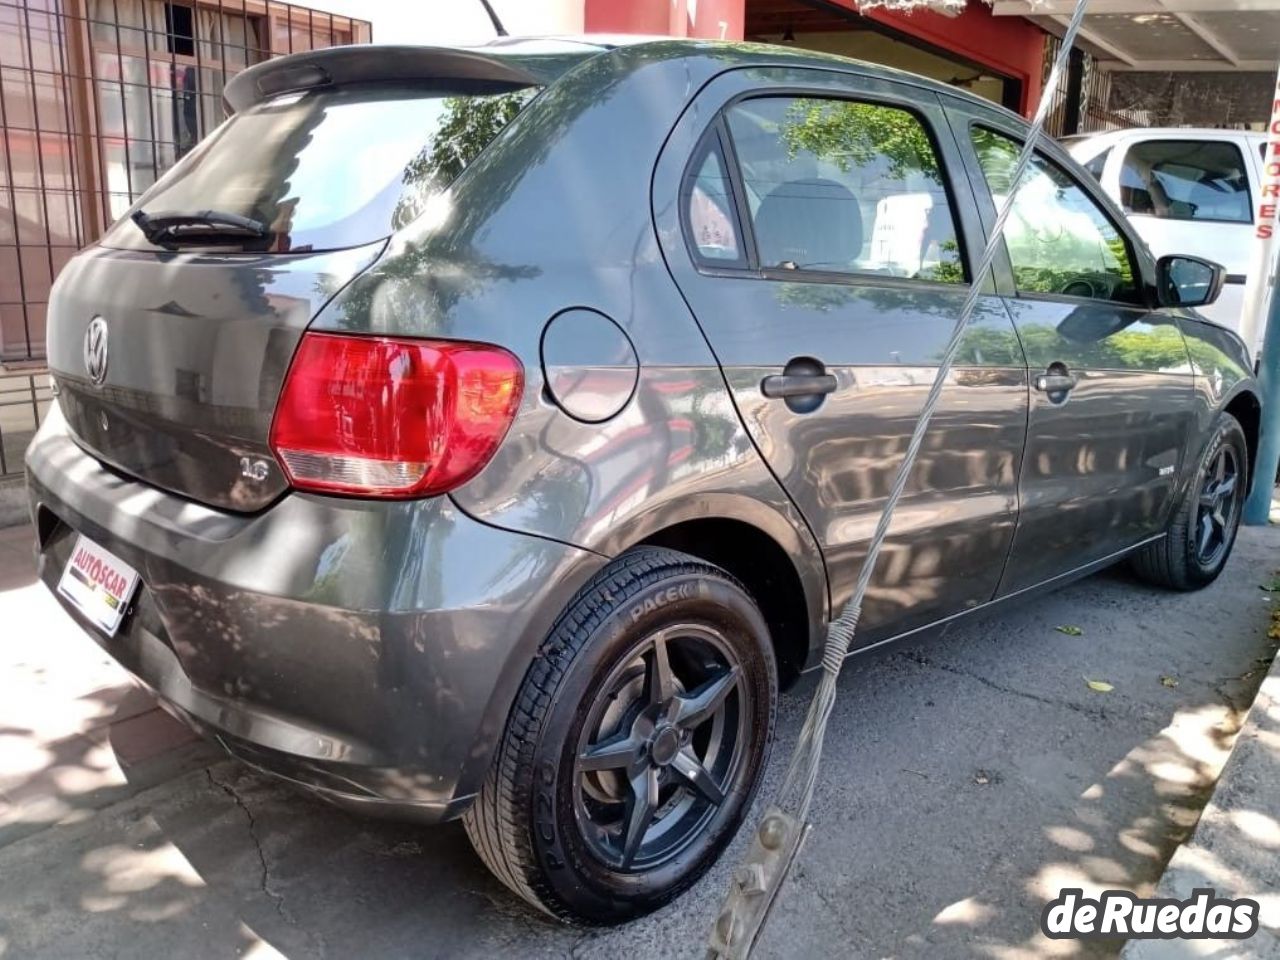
(1187, 180)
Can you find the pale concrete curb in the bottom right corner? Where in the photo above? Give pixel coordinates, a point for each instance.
(1236, 847)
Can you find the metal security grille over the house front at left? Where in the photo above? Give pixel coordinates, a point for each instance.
(98, 99)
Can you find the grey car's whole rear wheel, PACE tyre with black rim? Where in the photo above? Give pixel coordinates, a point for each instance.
(587, 843)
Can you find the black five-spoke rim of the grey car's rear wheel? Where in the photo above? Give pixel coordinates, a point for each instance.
(662, 746)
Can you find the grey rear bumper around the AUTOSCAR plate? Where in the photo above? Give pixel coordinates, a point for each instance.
(367, 652)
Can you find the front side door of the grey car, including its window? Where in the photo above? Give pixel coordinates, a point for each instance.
(1113, 397)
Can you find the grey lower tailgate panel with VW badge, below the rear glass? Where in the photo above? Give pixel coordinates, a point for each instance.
(191, 364)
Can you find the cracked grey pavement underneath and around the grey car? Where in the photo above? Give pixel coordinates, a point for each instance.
(967, 779)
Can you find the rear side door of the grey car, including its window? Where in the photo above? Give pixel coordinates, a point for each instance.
(812, 223)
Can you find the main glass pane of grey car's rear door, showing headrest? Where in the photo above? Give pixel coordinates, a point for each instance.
(839, 186)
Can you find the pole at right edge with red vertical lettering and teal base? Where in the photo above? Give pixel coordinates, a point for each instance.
(1258, 509)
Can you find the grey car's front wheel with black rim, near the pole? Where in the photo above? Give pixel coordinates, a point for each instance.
(1203, 529)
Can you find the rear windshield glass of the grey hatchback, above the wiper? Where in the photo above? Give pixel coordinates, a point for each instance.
(332, 168)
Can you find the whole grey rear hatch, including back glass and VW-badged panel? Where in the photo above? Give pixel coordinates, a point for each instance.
(170, 342)
